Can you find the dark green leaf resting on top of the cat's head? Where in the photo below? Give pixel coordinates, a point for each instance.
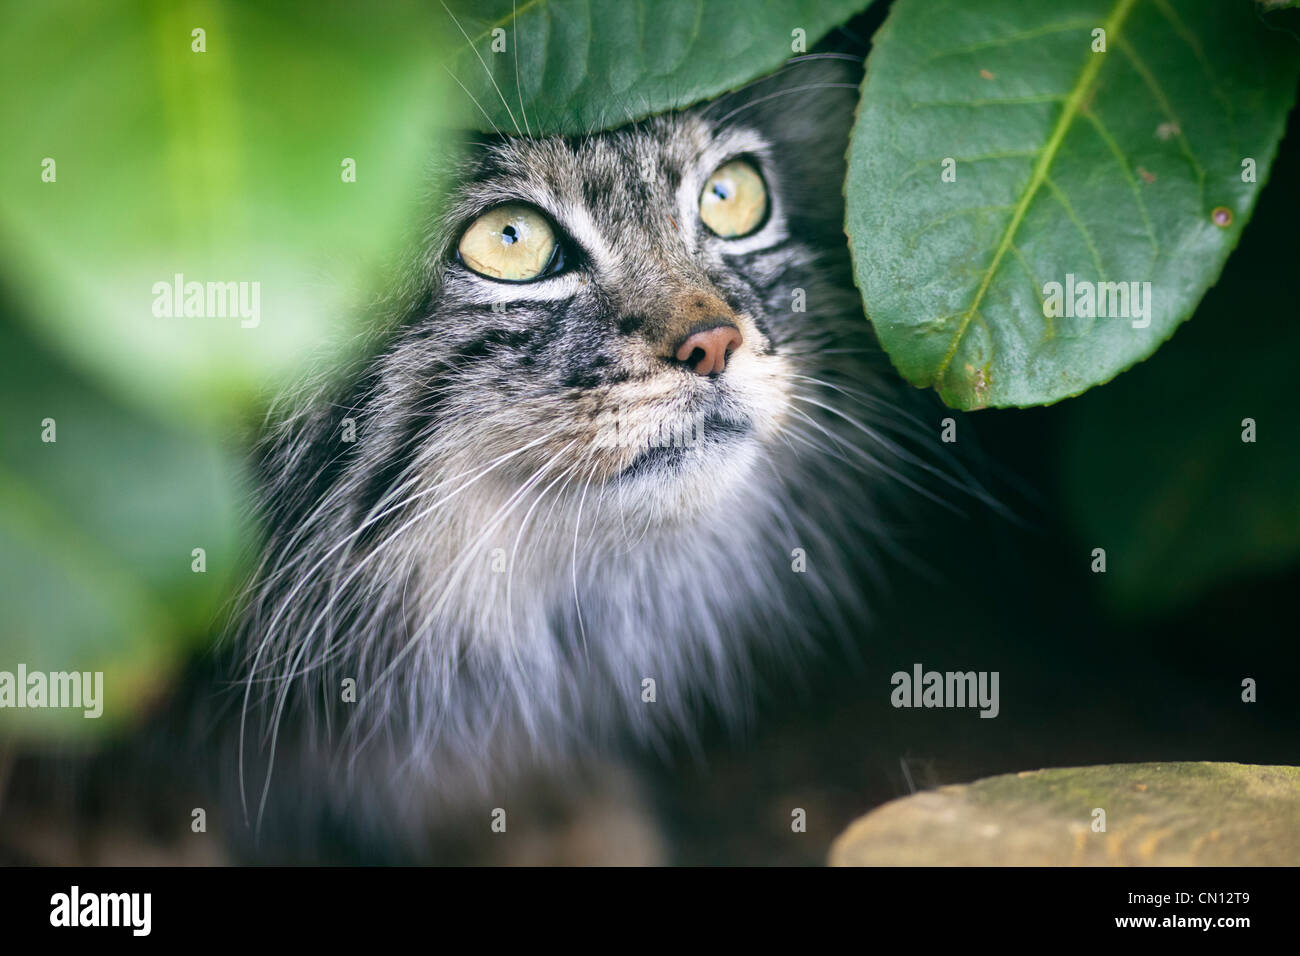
(582, 66)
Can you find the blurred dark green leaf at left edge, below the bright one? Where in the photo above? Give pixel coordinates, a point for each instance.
(97, 537)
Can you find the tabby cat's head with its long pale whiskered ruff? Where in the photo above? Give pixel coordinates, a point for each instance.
(638, 379)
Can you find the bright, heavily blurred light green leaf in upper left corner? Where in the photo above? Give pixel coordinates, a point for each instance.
(224, 166)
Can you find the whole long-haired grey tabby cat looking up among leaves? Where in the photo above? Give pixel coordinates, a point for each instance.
(627, 445)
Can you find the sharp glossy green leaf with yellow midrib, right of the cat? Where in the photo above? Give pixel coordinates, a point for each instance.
(1107, 167)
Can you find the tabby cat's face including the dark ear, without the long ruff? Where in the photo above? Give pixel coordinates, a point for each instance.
(634, 309)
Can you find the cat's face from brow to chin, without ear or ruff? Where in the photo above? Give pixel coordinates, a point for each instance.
(587, 357)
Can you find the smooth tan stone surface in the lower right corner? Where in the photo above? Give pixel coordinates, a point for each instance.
(1156, 815)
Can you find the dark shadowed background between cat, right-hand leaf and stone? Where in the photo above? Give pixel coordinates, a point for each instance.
(1142, 664)
